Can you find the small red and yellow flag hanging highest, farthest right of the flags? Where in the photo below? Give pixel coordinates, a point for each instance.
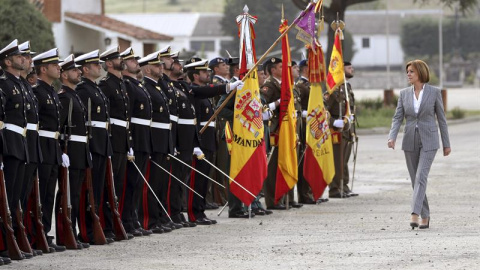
(336, 73)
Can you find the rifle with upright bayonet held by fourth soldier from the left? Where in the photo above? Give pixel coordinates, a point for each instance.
(64, 229)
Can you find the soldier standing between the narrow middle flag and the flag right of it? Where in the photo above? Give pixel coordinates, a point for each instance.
(302, 87)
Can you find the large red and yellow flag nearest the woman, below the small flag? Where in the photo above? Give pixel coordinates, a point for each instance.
(318, 166)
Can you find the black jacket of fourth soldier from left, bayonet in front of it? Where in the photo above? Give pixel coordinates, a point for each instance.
(78, 152)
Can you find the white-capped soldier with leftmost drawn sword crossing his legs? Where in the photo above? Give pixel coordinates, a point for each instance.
(151, 212)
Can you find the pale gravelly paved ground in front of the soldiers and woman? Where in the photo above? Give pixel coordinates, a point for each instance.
(368, 232)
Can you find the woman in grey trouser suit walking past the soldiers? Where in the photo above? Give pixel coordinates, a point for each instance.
(420, 105)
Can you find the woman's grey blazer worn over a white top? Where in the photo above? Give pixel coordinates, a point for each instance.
(430, 107)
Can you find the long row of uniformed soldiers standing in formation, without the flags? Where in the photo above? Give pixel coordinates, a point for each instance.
(124, 158)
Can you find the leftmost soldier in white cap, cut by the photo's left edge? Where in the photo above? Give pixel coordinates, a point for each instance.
(14, 122)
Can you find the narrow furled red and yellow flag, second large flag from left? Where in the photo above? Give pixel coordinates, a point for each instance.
(287, 170)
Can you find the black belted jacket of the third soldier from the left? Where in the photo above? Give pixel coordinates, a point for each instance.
(49, 107)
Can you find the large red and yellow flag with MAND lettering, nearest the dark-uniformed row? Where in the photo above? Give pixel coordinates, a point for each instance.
(248, 165)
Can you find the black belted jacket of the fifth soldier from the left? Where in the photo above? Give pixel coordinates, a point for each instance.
(99, 142)
